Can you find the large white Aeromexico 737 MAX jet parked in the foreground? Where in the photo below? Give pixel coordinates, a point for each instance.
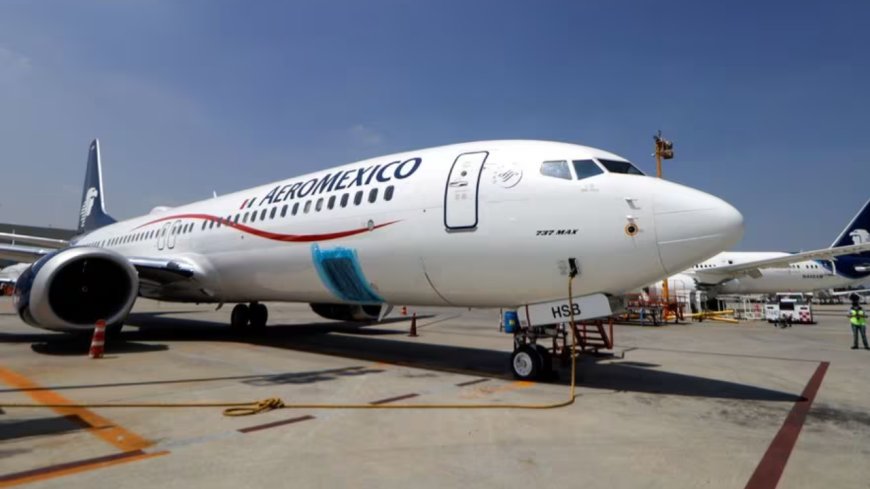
(483, 224)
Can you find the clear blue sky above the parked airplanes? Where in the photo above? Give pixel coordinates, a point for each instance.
(768, 102)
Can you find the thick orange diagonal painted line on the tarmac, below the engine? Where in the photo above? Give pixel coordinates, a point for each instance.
(99, 426)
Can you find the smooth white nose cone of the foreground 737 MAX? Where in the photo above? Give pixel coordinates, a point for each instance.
(692, 226)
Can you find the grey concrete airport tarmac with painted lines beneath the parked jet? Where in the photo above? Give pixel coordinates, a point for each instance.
(697, 405)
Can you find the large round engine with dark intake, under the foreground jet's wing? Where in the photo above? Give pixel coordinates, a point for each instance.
(69, 290)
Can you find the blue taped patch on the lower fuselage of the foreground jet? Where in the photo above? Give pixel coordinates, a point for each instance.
(340, 271)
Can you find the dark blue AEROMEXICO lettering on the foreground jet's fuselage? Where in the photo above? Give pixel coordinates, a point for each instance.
(345, 179)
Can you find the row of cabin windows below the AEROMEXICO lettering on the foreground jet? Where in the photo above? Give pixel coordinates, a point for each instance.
(329, 203)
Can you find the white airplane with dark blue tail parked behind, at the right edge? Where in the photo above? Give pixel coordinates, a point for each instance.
(846, 262)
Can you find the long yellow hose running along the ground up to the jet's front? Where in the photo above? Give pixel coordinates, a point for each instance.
(273, 403)
